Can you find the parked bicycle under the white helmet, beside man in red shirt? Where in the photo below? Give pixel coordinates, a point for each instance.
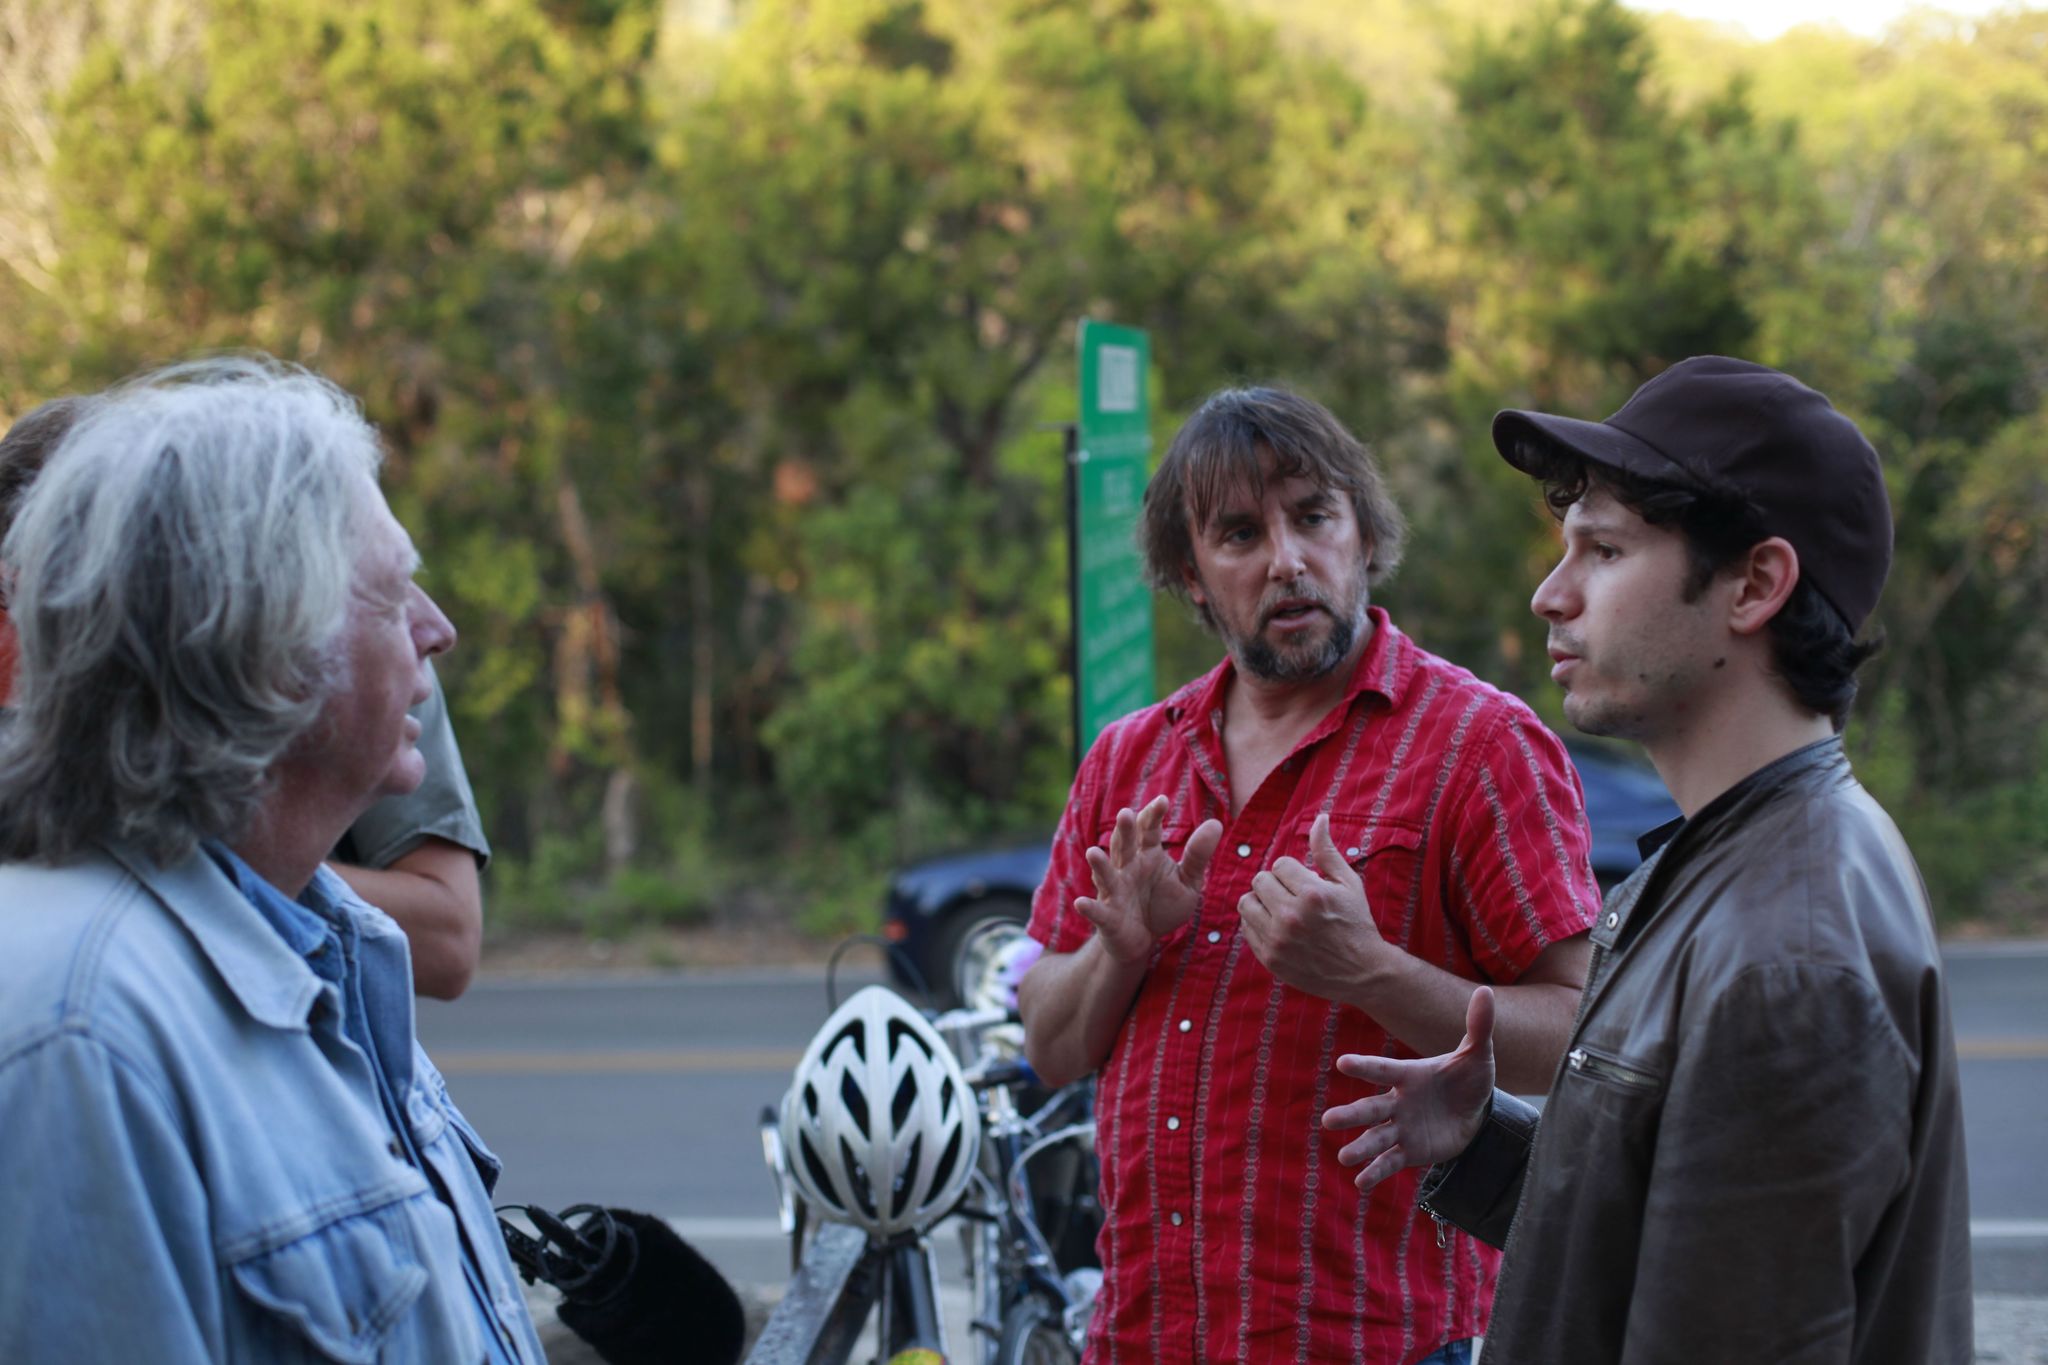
(1033, 1170)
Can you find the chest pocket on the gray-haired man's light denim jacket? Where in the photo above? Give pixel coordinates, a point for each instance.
(357, 1290)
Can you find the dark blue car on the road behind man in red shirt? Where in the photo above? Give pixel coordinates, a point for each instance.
(953, 916)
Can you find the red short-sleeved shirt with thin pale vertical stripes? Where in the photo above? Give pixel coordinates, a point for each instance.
(1234, 1235)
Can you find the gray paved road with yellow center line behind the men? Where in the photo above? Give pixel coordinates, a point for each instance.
(644, 1094)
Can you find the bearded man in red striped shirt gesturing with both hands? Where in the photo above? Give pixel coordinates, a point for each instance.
(1310, 850)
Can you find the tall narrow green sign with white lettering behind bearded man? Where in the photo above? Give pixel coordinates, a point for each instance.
(1113, 646)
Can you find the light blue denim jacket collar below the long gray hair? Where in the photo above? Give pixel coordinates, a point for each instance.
(261, 971)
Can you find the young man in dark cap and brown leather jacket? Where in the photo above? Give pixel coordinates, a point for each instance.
(1754, 1147)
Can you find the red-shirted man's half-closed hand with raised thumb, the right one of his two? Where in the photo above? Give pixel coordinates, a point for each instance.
(1312, 928)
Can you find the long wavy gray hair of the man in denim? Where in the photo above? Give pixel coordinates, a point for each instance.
(181, 580)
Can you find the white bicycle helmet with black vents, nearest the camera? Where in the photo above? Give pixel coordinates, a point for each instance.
(880, 1125)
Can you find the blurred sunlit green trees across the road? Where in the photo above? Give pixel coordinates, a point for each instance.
(716, 347)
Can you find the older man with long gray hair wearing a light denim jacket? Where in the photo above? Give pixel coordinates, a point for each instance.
(218, 1137)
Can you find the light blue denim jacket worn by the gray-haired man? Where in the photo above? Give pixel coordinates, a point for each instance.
(187, 1165)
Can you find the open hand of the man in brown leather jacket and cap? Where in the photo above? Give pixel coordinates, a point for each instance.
(1433, 1106)
